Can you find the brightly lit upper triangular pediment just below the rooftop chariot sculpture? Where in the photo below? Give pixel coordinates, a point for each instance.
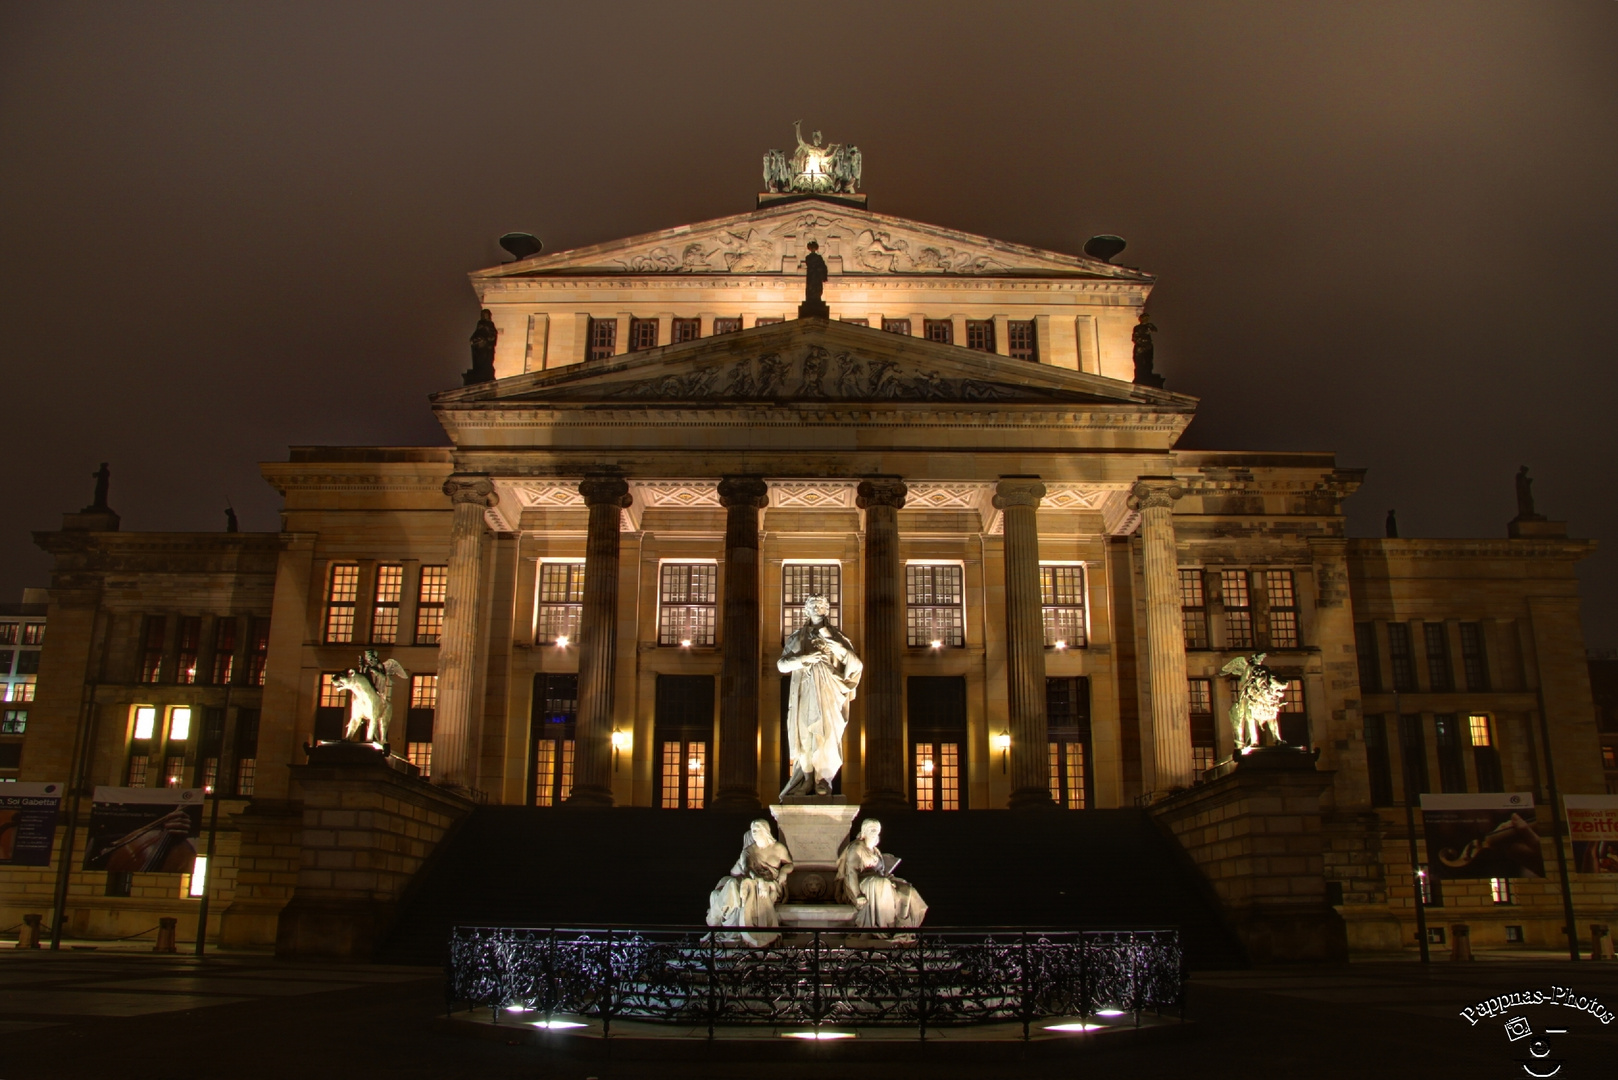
(771, 240)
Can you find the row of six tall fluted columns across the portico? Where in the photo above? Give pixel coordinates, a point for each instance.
(881, 498)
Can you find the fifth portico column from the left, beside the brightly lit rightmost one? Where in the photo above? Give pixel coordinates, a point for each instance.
(1019, 501)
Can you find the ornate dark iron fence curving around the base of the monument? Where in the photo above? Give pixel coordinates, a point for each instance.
(917, 979)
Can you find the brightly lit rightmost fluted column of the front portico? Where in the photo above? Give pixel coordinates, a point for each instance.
(1166, 636)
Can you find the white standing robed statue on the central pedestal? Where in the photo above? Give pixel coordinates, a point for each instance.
(826, 673)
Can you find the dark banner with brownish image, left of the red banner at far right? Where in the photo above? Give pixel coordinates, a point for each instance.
(1481, 836)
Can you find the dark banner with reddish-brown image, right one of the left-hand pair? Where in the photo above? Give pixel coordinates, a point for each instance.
(145, 830)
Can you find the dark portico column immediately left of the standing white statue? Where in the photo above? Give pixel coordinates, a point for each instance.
(739, 682)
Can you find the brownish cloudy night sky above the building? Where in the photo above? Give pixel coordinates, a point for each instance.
(1384, 231)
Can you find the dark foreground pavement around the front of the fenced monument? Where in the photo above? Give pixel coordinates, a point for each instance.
(135, 1018)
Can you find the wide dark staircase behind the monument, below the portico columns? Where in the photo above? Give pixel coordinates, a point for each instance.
(527, 867)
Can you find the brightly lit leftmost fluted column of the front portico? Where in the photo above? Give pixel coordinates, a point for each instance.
(452, 726)
